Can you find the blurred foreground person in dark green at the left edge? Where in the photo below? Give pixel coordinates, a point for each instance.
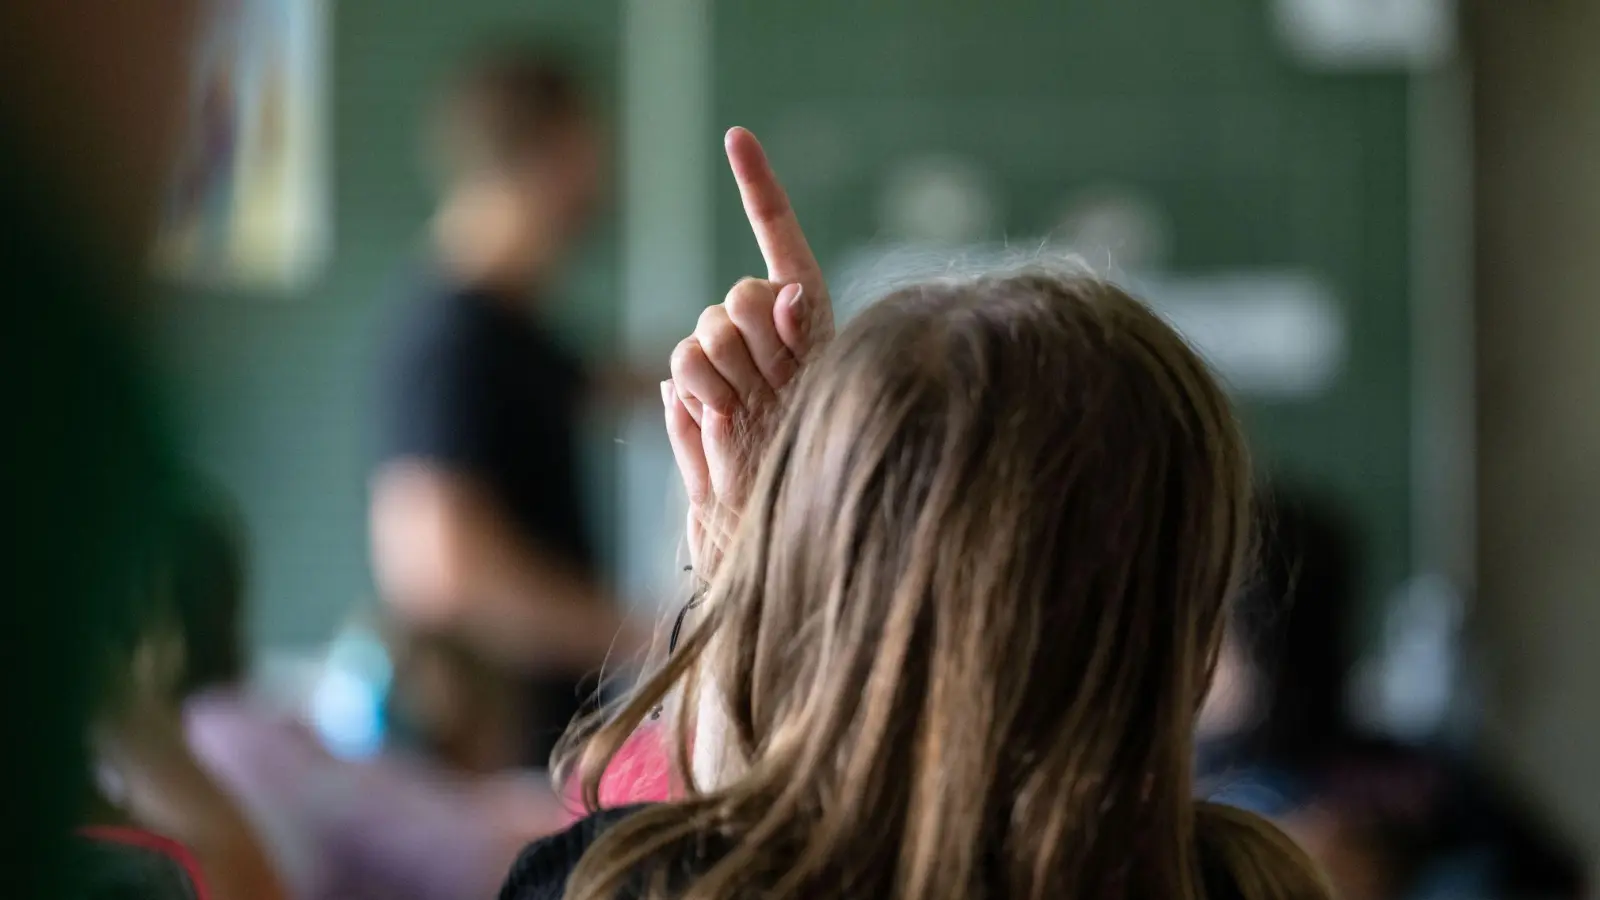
(90, 121)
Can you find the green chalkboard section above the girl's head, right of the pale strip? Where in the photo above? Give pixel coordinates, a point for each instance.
(1255, 163)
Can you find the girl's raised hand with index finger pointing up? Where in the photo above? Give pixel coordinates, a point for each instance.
(727, 376)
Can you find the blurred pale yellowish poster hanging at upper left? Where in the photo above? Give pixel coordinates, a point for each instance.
(250, 203)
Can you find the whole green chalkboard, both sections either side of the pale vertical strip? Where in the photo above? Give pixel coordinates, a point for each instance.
(1260, 164)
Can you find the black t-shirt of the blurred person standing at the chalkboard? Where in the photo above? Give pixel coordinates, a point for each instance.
(476, 385)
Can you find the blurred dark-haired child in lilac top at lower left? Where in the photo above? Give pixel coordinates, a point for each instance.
(335, 830)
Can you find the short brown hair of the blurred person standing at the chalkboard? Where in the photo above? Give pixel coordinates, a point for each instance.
(505, 105)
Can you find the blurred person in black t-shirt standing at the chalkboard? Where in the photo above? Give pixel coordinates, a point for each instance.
(482, 547)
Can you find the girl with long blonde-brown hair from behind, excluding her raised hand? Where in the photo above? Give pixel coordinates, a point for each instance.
(966, 625)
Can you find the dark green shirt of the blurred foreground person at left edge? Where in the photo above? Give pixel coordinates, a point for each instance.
(84, 473)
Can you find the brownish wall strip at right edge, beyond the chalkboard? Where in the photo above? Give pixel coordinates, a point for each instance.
(1538, 271)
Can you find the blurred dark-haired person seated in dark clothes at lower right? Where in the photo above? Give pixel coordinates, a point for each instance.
(1279, 736)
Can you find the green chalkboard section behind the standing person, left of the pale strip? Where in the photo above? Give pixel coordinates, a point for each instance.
(276, 387)
